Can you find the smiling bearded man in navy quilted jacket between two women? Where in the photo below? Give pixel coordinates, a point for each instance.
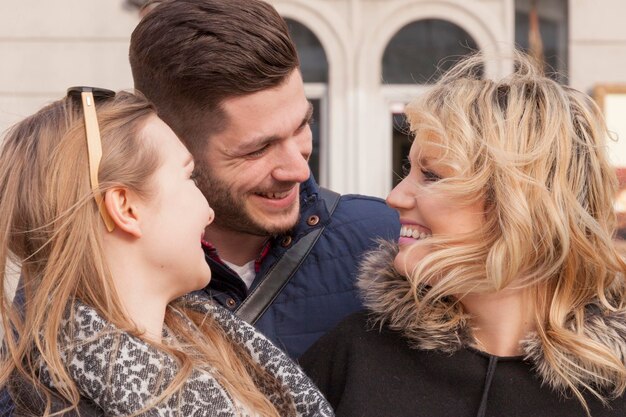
(224, 75)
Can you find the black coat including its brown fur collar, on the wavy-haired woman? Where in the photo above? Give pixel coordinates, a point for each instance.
(400, 367)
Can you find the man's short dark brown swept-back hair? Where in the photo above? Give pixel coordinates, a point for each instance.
(188, 56)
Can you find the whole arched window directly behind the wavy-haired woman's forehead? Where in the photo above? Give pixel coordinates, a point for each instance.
(415, 57)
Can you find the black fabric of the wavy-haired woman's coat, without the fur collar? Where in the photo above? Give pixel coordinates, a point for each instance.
(370, 373)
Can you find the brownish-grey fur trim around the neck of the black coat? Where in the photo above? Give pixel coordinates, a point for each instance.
(389, 298)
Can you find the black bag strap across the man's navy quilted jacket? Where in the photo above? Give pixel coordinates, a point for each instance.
(279, 275)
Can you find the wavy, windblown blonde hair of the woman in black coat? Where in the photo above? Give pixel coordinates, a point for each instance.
(534, 151)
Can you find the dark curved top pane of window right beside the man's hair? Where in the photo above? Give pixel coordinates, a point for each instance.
(313, 61)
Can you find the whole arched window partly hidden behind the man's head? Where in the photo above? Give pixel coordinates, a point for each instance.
(314, 67)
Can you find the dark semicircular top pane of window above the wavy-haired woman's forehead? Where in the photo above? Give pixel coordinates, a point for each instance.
(421, 50)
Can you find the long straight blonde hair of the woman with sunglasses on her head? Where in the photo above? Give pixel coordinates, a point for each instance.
(50, 225)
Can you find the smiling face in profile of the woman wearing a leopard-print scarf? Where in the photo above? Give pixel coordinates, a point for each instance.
(174, 217)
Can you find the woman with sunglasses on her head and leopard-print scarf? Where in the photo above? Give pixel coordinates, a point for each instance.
(101, 211)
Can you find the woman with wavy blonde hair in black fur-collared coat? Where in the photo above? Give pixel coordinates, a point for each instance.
(505, 295)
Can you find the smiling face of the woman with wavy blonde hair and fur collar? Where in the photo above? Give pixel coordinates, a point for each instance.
(426, 211)
